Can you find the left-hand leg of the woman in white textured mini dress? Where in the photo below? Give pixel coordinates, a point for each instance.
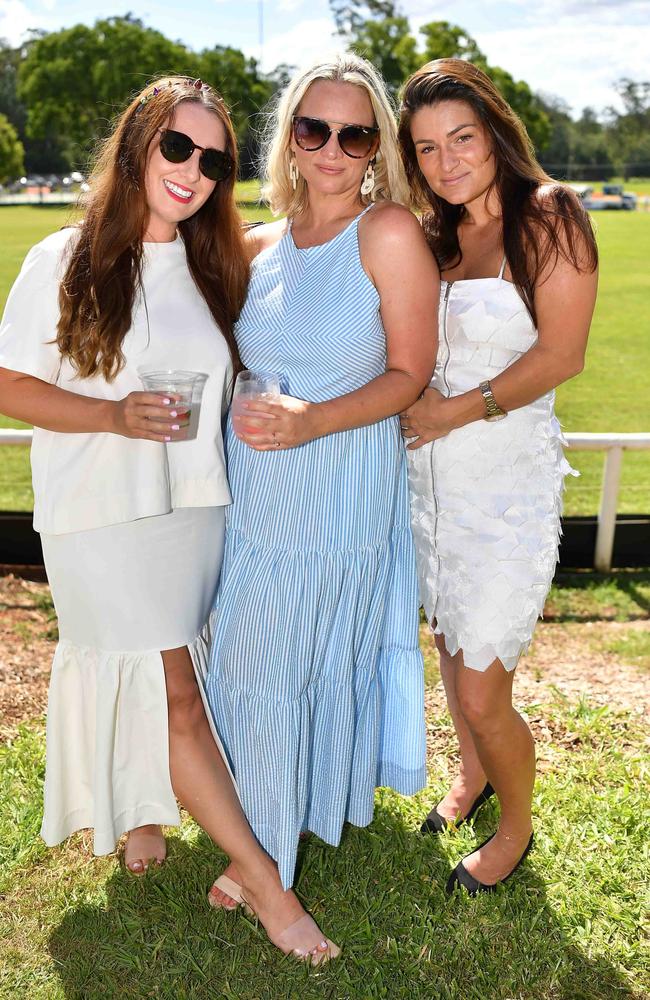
(470, 780)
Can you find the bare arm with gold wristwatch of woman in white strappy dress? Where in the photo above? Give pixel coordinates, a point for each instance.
(564, 301)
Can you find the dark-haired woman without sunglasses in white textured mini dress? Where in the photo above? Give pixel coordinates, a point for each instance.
(518, 262)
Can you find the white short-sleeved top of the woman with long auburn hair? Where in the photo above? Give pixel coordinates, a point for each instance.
(84, 481)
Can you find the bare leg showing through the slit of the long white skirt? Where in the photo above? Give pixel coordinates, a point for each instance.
(203, 786)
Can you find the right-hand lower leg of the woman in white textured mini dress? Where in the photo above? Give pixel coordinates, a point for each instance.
(505, 748)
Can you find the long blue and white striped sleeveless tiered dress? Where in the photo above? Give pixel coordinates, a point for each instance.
(316, 678)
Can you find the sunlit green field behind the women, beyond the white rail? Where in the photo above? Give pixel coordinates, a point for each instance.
(612, 394)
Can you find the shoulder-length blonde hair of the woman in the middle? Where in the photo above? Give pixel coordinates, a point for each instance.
(390, 179)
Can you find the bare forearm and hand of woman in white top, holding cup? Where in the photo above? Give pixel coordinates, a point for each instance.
(138, 415)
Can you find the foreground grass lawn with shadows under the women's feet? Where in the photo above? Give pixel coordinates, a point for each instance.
(567, 927)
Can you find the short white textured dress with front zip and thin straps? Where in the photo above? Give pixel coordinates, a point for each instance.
(486, 499)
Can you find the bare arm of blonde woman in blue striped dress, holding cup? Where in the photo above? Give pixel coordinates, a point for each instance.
(399, 262)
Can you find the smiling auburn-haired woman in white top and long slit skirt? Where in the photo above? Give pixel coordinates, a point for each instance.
(129, 504)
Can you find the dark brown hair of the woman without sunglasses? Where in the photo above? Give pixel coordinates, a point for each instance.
(536, 230)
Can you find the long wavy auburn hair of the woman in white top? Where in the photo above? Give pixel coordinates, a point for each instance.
(104, 272)
